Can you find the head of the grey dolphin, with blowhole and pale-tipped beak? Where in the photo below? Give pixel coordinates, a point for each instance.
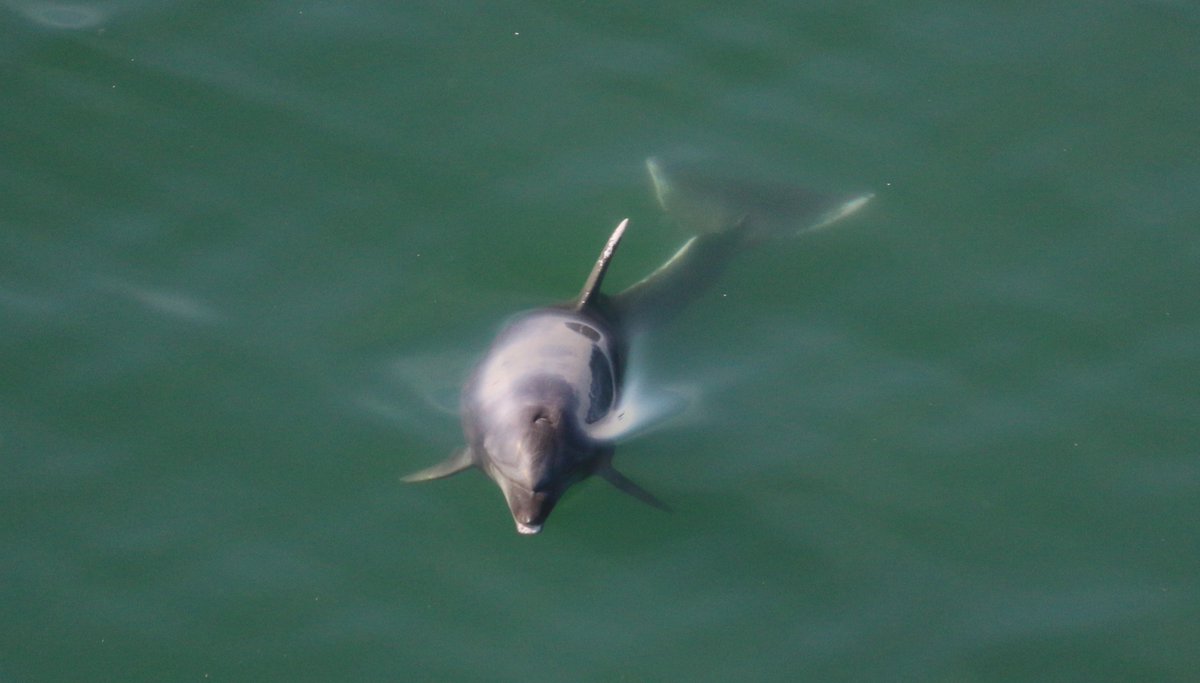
(538, 452)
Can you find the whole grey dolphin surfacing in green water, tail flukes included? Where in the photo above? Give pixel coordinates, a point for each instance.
(544, 408)
